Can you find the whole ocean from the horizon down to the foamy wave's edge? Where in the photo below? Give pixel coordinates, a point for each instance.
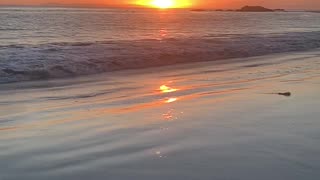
(44, 43)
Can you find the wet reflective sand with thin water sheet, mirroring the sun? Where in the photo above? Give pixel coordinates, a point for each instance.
(196, 121)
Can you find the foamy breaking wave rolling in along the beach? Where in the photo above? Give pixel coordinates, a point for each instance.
(59, 60)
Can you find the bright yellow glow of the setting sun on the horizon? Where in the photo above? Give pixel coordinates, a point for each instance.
(164, 4)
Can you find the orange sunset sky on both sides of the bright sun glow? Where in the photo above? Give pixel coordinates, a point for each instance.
(286, 4)
